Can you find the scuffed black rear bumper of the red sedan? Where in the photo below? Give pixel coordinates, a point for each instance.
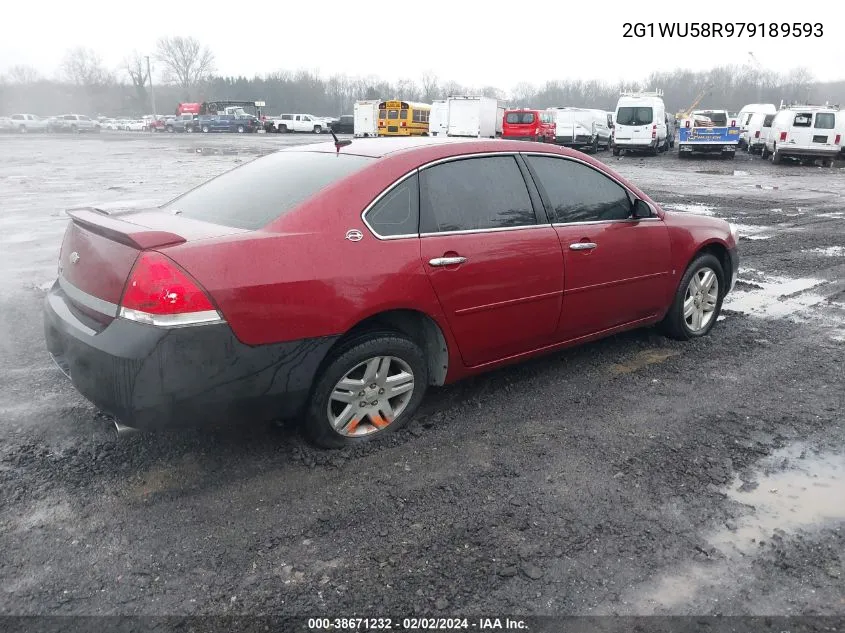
(155, 378)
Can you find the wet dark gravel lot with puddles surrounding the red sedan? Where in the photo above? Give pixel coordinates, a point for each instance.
(636, 475)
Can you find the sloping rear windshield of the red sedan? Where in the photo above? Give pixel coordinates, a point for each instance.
(251, 196)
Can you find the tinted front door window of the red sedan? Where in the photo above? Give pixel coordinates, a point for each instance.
(579, 193)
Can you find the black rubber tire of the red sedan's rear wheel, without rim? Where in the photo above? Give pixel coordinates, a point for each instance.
(349, 354)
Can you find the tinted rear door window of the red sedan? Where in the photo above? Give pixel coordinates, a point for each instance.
(474, 194)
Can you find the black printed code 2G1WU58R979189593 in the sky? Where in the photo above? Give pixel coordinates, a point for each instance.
(722, 29)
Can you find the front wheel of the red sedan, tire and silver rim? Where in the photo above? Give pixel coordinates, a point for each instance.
(698, 300)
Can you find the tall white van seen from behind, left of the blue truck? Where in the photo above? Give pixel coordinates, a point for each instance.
(640, 123)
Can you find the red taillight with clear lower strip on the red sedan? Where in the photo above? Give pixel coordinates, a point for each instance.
(159, 292)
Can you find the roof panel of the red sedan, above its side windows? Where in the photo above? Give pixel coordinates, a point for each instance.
(451, 146)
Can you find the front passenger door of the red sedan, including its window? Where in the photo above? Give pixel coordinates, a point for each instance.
(617, 268)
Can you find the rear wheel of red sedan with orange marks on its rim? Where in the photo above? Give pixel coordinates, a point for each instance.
(372, 387)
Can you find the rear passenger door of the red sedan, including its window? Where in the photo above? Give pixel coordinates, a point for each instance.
(492, 258)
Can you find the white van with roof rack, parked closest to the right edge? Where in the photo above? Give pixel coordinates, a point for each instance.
(806, 133)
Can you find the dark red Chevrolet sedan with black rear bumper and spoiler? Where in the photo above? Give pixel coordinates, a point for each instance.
(337, 283)
